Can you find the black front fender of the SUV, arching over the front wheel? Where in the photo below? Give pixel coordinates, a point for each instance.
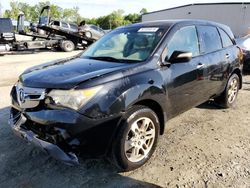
(117, 96)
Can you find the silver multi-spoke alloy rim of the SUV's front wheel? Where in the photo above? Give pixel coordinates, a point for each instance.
(140, 139)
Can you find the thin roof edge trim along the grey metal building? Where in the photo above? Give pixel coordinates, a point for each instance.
(195, 4)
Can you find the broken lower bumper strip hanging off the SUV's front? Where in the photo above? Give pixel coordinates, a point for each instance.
(17, 123)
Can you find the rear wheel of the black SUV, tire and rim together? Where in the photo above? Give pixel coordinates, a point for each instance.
(228, 98)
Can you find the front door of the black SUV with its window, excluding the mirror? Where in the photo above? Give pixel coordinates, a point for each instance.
(184, 81)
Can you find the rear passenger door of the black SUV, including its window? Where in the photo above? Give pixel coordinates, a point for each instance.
(214, 58)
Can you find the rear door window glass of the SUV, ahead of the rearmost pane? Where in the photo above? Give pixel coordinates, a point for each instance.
(209, 38)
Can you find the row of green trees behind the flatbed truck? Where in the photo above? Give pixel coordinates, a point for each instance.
(72, 15)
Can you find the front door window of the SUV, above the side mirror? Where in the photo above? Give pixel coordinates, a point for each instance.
(185, 40)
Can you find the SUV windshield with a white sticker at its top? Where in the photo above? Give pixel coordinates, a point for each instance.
(126, 45)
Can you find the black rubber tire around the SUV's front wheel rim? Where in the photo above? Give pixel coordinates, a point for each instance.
(125, 126)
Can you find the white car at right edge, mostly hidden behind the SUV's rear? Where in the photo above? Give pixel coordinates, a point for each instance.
(244, 44)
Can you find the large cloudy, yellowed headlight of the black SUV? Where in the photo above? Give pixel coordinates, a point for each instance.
(74, 99)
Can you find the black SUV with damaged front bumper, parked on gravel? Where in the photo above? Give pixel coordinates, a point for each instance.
(116, 97)
